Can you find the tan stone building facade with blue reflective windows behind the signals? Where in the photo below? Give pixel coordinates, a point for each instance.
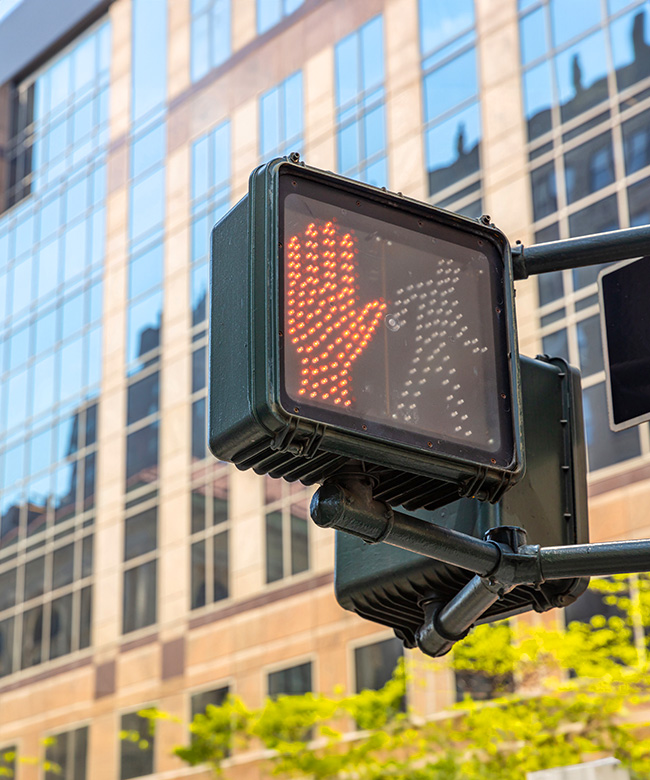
(136, 570)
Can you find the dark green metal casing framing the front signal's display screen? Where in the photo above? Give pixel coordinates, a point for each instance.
(247, 424)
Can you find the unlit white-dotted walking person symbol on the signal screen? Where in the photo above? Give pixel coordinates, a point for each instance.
(431, 308)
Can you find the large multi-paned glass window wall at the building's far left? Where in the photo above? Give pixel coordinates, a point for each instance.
(52, 247)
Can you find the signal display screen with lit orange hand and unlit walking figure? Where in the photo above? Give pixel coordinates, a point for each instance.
(393, 324)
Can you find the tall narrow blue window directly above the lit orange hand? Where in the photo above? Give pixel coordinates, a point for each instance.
(361, 104)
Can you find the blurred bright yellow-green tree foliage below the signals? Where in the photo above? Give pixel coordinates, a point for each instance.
(578, 696)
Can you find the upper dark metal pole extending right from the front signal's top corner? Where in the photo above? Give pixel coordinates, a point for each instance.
(578, 252)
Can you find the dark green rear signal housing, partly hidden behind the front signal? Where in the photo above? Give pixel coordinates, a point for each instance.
(389, 585)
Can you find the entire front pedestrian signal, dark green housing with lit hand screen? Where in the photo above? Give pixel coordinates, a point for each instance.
(348, 324)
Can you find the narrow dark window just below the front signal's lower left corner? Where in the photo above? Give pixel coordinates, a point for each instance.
(210, 570)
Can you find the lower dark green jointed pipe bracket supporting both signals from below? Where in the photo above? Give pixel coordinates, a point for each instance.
(500, 563)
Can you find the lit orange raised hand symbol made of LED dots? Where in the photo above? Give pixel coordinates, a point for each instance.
(326, 323)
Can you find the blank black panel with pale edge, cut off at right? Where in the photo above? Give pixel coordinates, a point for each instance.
(625, 317)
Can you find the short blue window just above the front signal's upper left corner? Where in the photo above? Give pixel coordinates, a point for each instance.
(281, 119)
